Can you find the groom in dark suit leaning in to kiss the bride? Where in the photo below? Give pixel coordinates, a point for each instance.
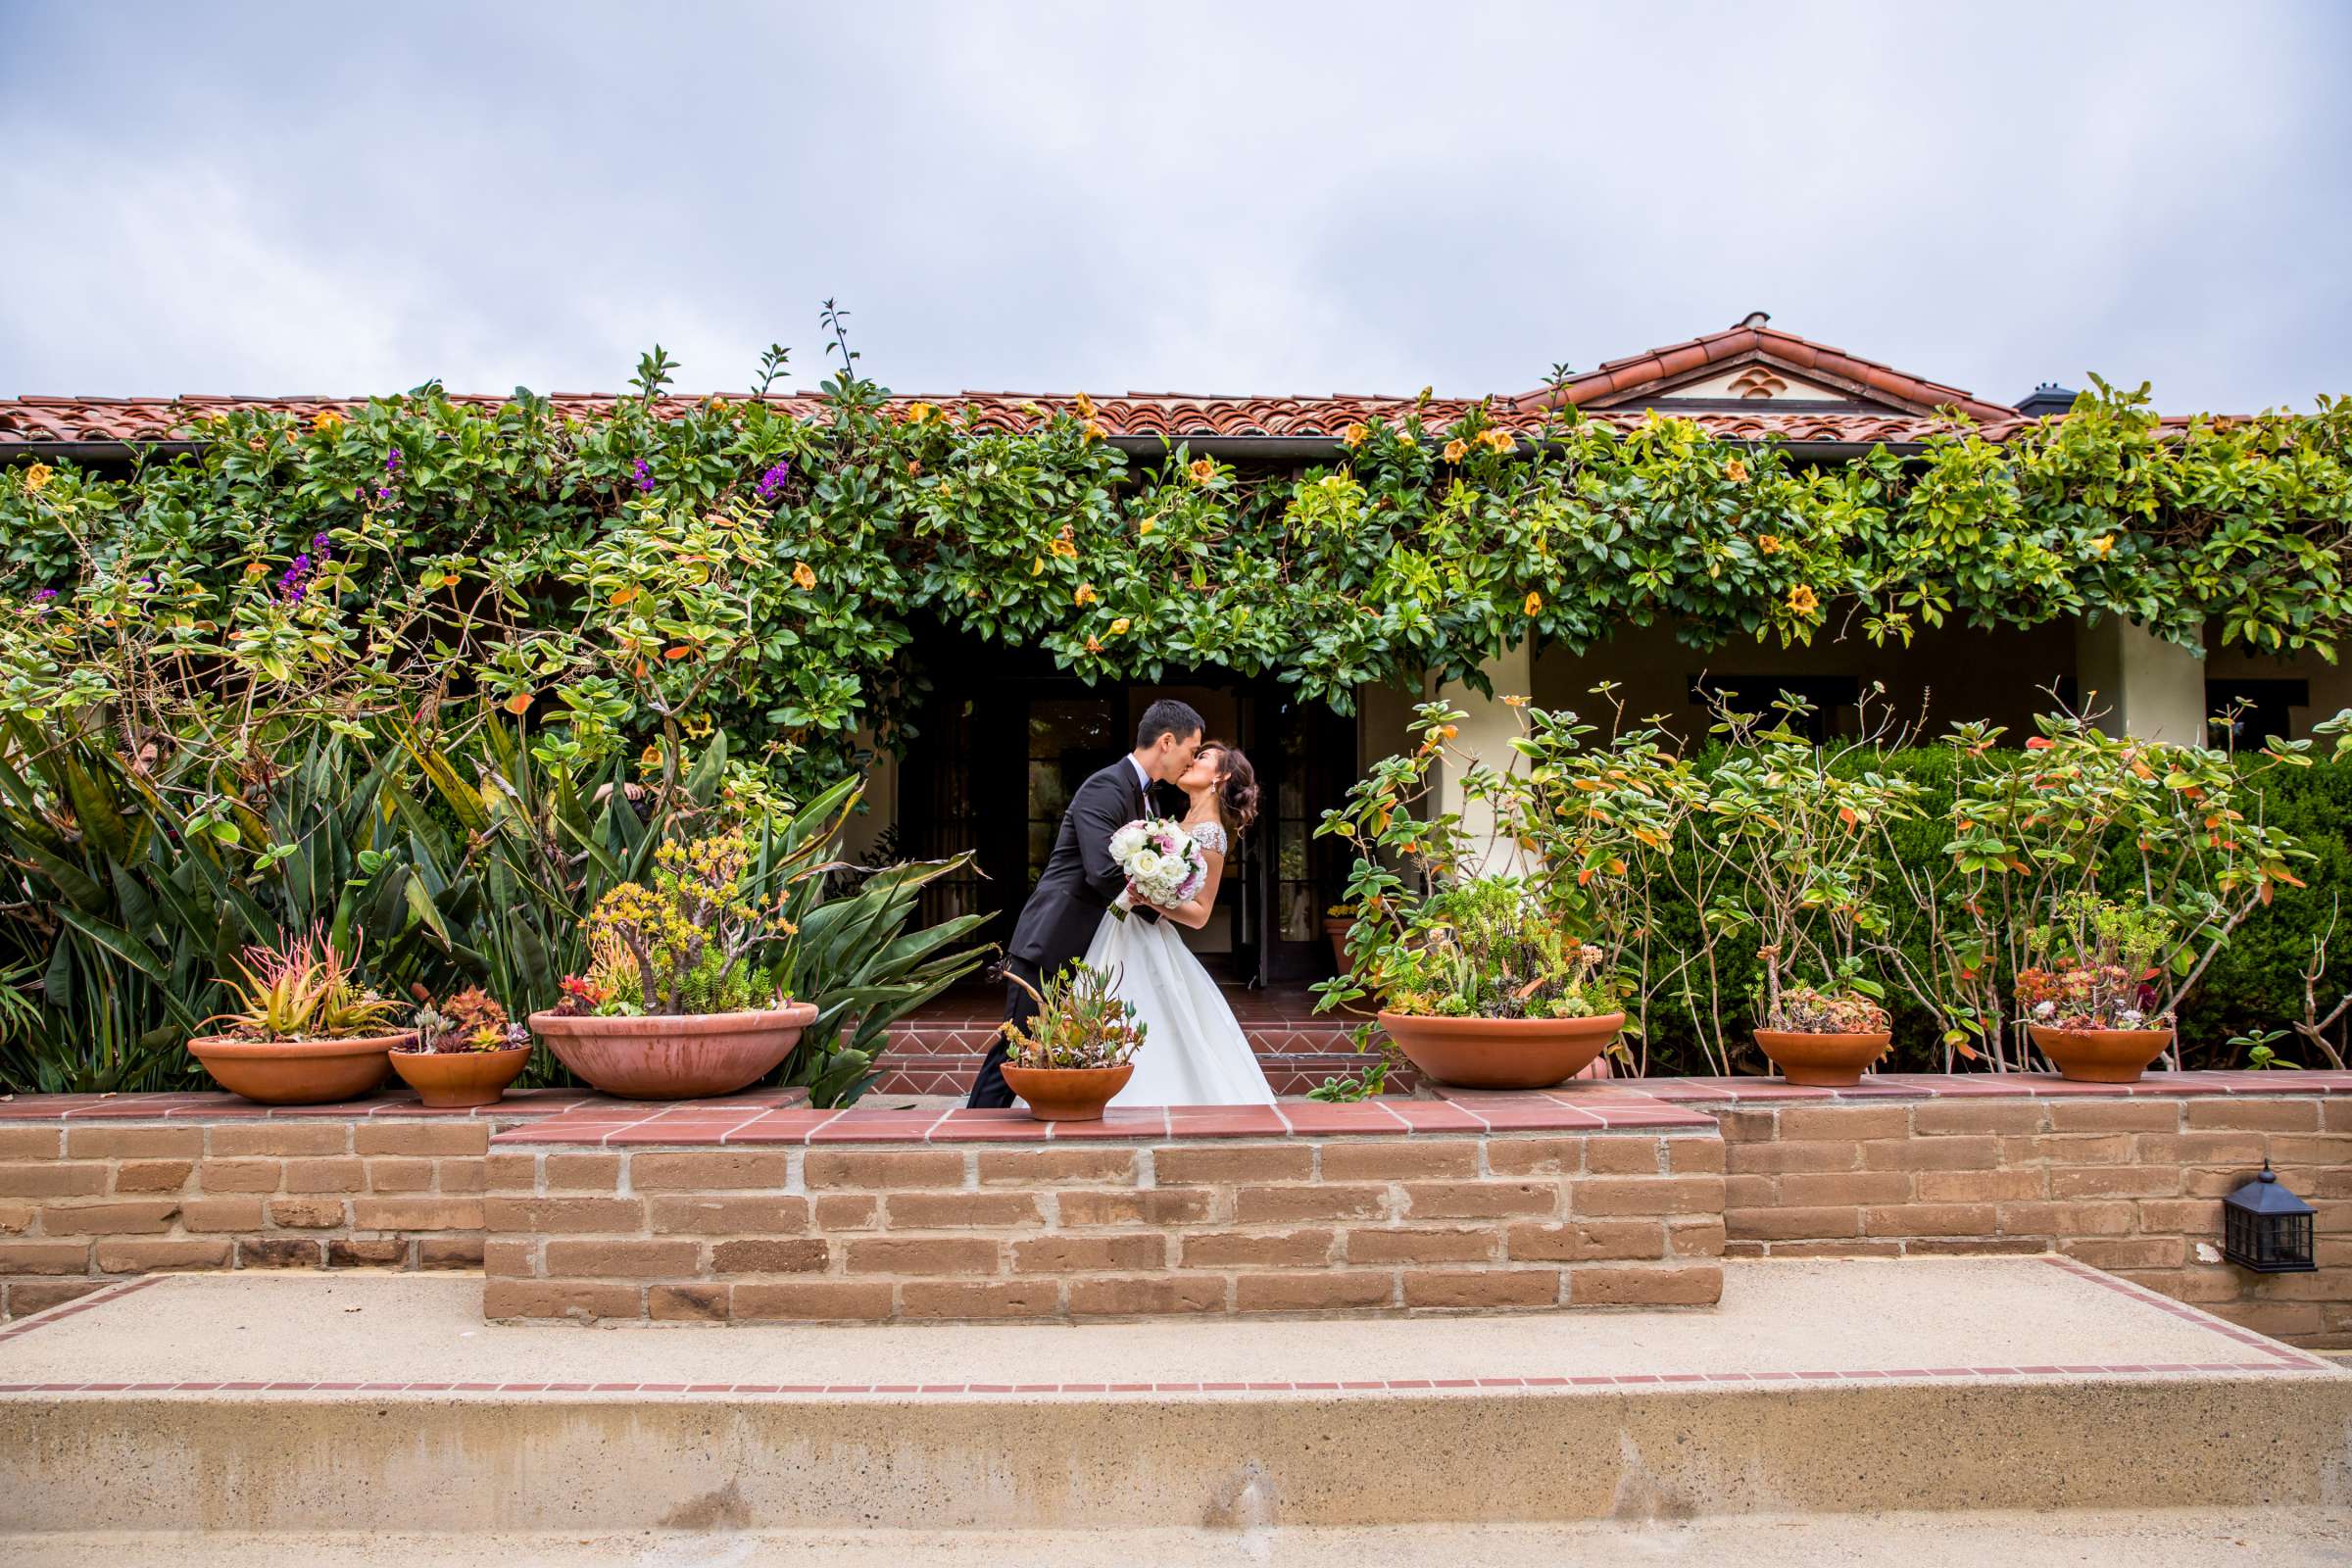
(1081, 880)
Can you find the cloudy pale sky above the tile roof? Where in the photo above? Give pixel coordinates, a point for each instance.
(1252, 199)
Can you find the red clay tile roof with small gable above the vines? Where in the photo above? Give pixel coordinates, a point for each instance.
(1909, 415)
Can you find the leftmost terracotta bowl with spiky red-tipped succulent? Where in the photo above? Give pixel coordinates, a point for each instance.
(302, 1031)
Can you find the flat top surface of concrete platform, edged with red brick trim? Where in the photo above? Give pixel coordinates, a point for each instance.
(1967, 1318)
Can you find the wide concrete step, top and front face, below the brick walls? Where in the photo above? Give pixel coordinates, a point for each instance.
(260, 1405)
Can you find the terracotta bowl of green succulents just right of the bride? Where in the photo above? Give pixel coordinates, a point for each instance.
(1485, 991)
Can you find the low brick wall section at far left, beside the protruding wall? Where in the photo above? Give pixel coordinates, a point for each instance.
(91, 1202)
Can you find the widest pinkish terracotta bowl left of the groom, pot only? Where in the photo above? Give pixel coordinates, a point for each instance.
(676, 1059)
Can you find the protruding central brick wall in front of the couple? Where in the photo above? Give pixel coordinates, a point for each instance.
(1107, 1228)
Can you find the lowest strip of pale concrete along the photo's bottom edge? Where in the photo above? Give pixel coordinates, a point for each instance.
(2174, 1539)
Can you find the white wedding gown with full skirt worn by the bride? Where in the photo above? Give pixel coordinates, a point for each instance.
(1194, 1050)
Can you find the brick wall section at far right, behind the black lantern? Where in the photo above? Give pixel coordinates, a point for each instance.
(2123, 1184)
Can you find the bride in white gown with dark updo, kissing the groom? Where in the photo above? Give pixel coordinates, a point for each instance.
(1194, 1050)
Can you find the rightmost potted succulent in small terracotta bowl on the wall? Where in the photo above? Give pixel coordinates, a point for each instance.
(2094, 1000)
